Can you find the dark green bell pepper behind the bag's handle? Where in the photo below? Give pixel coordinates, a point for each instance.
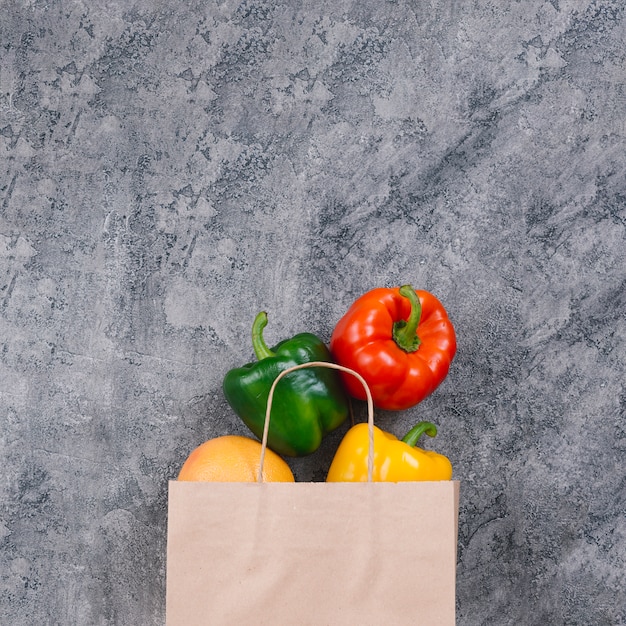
(307, 404)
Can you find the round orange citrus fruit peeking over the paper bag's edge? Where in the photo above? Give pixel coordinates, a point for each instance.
(232, 458)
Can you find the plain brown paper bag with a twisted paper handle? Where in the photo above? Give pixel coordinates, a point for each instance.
(311, 553)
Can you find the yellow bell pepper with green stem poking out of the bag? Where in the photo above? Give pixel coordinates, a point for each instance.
(394, 460)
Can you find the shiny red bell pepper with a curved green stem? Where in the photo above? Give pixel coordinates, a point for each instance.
(400, 340)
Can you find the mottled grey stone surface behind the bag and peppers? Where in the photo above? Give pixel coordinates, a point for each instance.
(169, 169)
